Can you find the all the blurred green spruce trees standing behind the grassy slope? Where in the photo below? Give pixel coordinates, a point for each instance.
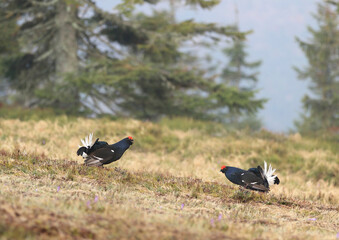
(72, 56)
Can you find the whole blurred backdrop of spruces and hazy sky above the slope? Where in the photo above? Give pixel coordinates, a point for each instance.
(263, 64)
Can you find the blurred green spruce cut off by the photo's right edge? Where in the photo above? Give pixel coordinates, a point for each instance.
(322, 104)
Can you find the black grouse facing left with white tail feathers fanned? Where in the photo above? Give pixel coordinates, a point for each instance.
(254, 178)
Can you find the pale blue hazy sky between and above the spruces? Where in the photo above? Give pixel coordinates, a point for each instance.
(275, 25)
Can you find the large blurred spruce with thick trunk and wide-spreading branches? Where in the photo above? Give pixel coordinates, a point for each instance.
(78, 57)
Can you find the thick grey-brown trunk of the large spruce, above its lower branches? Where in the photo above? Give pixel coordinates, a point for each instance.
(65, 39)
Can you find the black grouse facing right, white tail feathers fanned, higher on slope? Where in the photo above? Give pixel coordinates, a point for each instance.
(100, 153)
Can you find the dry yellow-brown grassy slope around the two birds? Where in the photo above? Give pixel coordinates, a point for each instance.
(167, 186)
